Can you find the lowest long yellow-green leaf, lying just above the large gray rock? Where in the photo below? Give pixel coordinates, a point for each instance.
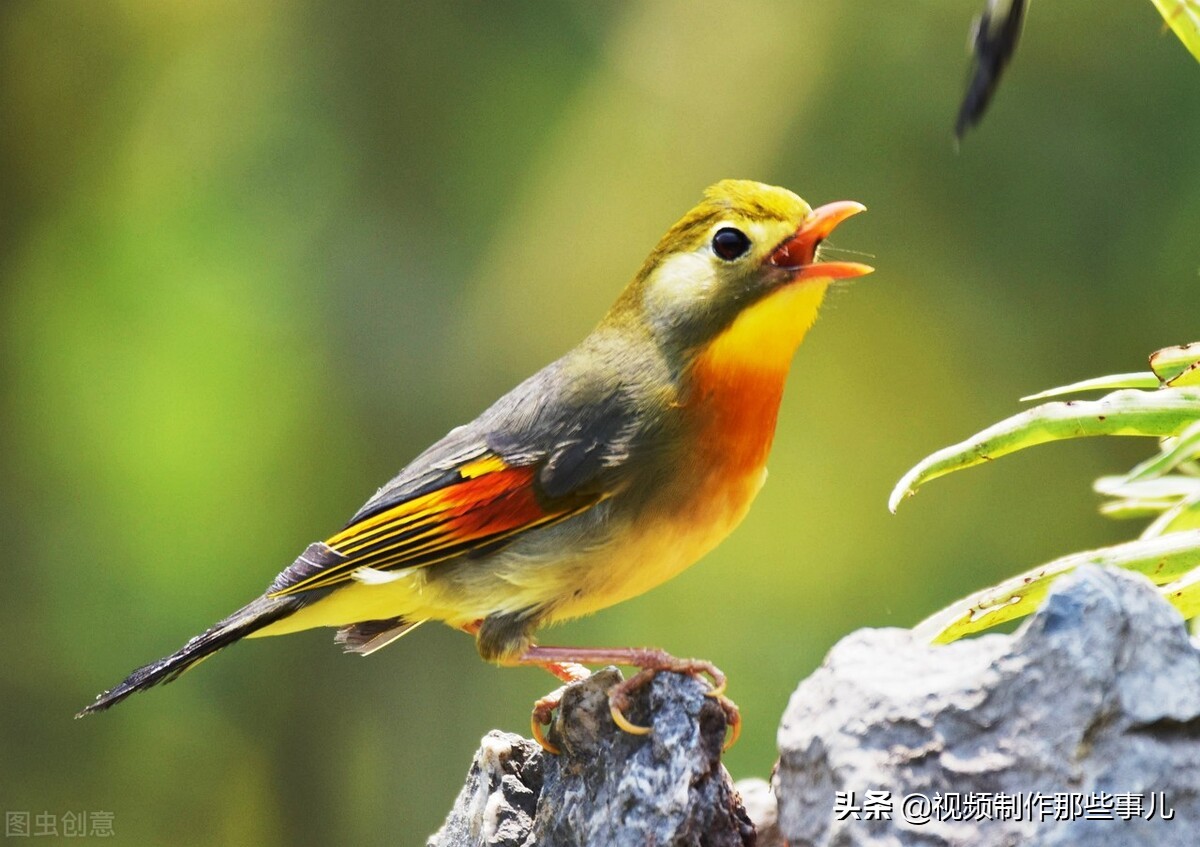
(1162, 560)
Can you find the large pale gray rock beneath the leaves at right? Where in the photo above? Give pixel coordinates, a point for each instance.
(1091, 708)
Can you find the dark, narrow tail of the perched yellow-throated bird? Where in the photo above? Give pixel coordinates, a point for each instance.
(238, 626)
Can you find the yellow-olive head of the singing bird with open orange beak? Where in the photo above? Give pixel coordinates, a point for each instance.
(745, 245)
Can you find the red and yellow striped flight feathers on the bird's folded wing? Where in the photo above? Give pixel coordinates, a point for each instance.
(491, 502)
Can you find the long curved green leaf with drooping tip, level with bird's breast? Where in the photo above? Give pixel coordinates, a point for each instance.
(1129, 412)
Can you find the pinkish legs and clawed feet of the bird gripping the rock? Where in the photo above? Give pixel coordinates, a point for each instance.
(651, 662)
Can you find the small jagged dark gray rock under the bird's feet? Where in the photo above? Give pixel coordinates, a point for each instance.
(608, 788)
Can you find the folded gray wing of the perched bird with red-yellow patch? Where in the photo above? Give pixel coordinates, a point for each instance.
(525, 464)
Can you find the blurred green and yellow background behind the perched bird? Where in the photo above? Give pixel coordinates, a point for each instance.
(256, 257)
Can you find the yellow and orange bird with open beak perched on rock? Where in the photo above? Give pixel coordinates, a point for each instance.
(605, 474)
